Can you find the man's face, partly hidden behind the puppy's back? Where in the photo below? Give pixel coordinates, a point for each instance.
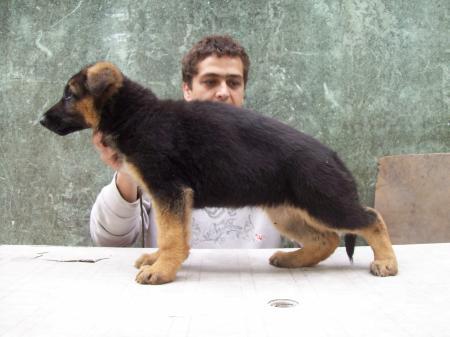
(219, 79)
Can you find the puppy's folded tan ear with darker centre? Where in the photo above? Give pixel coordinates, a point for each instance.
(104, 79)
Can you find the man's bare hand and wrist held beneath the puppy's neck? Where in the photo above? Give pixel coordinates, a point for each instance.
(125, 184)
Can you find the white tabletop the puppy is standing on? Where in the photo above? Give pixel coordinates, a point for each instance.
(221, 293)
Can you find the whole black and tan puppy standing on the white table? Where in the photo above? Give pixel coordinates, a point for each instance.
(201, 154)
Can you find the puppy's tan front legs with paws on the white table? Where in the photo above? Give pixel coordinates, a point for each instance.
(173, 220)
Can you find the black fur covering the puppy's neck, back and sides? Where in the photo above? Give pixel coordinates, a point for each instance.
(229, 156)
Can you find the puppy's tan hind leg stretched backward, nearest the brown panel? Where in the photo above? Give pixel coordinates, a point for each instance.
(377, 236)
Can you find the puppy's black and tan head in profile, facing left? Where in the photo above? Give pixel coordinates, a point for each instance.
(84, 96)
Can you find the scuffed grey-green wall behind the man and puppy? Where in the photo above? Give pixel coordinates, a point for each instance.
(369, 78)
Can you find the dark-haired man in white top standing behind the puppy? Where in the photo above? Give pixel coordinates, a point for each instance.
(215, 69)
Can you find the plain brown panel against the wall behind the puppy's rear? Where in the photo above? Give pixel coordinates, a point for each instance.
(413, 195)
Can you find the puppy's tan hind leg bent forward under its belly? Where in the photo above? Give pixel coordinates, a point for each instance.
(317, 245)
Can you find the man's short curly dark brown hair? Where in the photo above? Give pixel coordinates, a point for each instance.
(217, 45)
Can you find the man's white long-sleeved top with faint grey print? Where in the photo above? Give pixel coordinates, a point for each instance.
(116, 222)
